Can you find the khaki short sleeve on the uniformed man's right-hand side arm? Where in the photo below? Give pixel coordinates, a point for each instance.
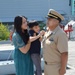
(62, 44)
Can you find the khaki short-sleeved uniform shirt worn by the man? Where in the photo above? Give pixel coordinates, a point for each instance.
(54, 43)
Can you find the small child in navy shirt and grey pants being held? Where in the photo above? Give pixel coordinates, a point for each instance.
(35, 48)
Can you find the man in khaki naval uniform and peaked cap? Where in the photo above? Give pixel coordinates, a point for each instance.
(55, 45)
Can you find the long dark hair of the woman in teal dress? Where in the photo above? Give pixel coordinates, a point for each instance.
(17, 25)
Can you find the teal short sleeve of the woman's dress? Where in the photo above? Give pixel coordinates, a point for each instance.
(17, 40)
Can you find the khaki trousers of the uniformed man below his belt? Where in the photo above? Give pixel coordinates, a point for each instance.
(52, 69)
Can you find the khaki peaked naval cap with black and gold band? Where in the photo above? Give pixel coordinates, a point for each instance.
(54, 14)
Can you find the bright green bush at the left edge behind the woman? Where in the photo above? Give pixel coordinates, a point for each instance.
(4, 32)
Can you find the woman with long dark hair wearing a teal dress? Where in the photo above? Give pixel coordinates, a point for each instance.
(20, 38)
